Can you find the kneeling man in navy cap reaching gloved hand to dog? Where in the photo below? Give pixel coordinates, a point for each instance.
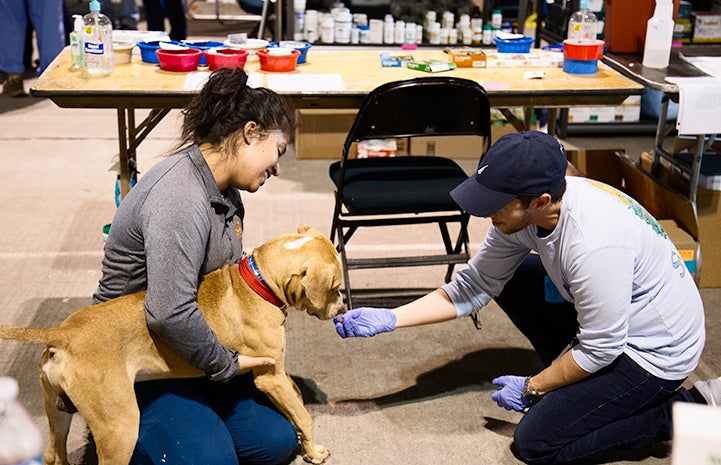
(597, 287)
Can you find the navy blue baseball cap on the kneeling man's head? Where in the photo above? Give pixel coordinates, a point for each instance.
(522, 163)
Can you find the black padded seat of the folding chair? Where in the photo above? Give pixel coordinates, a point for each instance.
(398, 185)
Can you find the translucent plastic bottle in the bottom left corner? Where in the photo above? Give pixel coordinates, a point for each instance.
(20, 439)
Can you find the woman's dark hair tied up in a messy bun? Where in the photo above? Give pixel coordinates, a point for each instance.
(218, 114)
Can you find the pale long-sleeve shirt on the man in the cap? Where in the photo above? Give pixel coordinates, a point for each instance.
(611, 259)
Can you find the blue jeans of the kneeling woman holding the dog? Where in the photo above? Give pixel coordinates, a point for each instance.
(201, 422)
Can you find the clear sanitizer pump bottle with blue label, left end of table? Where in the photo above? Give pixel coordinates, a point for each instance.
(97, 41)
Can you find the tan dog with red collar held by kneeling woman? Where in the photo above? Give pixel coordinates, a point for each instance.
(93, 358)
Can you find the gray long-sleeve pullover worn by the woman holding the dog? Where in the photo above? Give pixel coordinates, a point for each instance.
(171, 229)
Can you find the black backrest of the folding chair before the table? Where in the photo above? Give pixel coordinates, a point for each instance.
(427, 106)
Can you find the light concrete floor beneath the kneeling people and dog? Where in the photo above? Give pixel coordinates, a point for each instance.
(419, 396)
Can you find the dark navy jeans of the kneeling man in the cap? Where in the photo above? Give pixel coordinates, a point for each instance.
(621, 406)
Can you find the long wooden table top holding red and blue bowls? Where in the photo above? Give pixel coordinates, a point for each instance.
(143, 85)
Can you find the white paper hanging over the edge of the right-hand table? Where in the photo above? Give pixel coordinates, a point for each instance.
(699, 105)
